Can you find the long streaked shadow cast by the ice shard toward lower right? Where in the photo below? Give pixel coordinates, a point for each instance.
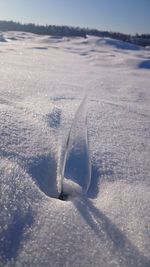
(103, 227)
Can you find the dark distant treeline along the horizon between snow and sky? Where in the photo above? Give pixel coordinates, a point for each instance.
(139, 39)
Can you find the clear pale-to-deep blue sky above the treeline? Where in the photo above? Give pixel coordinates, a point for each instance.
(128, 16)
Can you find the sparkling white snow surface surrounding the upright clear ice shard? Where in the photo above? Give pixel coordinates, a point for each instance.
(43, 80)
